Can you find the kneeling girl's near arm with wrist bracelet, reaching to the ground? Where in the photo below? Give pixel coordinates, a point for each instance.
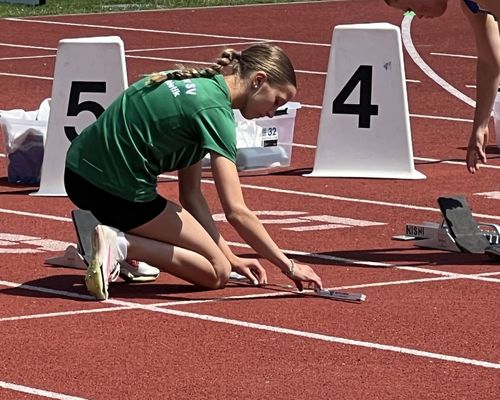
(248, 225)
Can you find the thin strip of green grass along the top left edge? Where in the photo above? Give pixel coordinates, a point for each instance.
(96, 6)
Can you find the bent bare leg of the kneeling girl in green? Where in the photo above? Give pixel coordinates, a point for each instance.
(176, 243)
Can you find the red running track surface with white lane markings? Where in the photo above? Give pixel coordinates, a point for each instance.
(429, 328)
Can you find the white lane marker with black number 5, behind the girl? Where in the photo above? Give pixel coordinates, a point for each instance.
(89, 74)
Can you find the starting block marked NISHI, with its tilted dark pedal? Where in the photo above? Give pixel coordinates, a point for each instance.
(458, 232)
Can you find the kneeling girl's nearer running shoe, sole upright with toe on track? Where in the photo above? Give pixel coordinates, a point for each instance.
(104, 264)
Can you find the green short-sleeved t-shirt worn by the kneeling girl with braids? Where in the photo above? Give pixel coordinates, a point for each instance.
(151, 129)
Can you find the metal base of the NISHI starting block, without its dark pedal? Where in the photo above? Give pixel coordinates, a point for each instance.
(434, 235)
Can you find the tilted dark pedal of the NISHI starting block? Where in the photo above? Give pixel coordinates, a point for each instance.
(462, 226)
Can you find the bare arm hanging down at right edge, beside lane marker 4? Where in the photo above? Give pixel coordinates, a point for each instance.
(487, 39)
